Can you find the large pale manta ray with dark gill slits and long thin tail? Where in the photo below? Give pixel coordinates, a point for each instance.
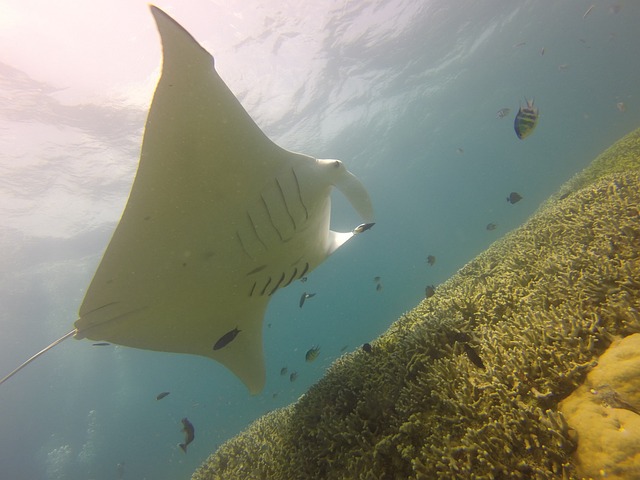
(219, 219)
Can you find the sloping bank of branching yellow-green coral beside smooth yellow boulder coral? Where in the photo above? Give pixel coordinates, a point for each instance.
(467, 385)
